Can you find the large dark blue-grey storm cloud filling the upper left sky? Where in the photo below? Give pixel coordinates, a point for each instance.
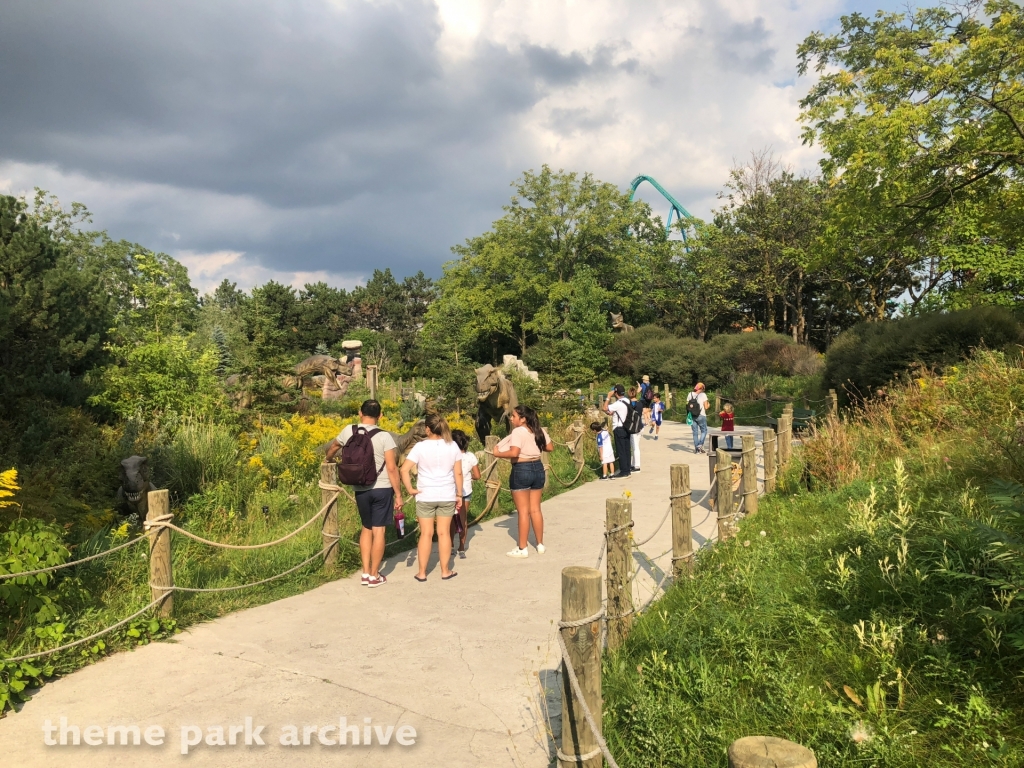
(343, 118)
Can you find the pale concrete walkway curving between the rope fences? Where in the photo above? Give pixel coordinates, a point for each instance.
(471, 664)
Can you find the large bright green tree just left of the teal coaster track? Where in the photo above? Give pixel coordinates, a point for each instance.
(515, 280)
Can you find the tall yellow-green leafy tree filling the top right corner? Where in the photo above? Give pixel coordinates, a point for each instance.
(920, 116)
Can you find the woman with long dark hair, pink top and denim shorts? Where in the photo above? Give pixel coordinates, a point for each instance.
(524, 447)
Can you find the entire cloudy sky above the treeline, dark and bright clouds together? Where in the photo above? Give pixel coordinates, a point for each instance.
(319, 140)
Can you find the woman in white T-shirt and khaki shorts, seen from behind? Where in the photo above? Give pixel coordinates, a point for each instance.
(439, 493)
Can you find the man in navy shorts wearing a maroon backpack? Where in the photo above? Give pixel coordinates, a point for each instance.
(369, 464)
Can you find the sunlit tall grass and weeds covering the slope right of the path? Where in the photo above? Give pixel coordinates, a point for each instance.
(878, 620)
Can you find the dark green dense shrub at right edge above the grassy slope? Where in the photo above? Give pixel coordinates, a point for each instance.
(872, 355)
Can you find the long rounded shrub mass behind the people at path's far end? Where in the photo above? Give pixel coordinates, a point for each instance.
(684, 361)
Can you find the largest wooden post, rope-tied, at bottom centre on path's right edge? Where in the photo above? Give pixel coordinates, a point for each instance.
(581, 599)
